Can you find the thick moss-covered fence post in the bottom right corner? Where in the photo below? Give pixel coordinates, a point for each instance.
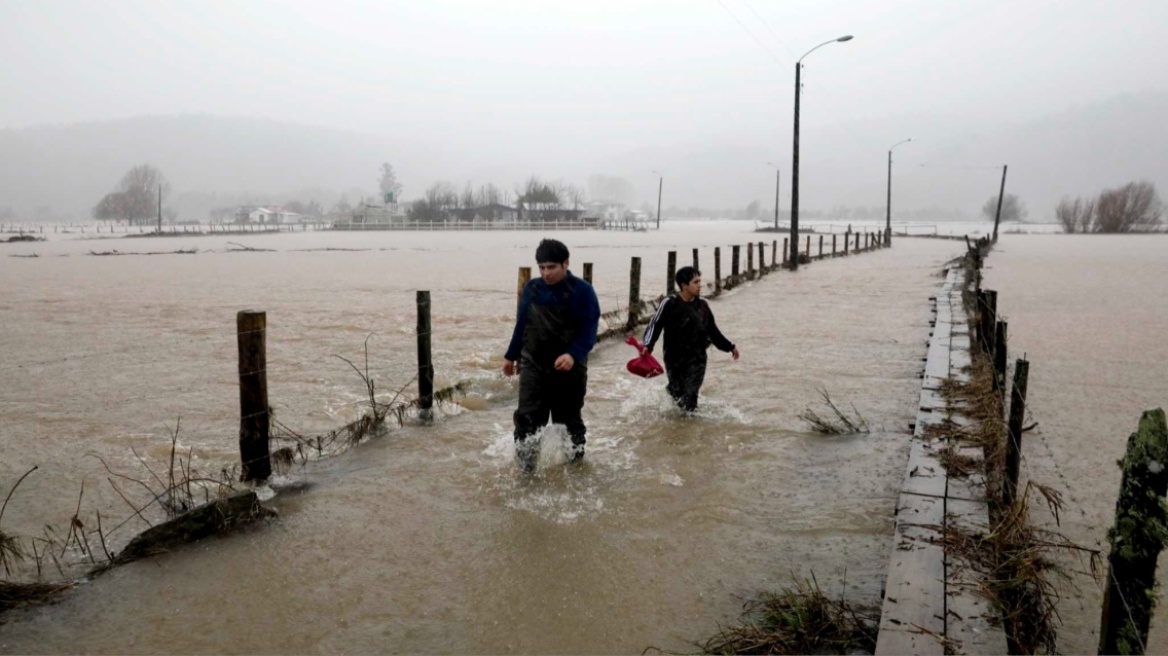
(1136, 540)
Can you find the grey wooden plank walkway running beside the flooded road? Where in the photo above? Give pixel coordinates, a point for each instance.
(931, 604)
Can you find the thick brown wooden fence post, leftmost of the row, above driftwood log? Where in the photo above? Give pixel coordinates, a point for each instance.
(252, 330)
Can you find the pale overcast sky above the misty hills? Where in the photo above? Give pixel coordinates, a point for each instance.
(581, 80)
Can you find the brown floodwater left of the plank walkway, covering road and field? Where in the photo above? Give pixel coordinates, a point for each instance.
(428, 540)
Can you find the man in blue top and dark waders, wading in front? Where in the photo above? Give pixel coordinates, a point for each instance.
(555, 330)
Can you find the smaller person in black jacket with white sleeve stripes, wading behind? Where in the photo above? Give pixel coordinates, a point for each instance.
(690, 330)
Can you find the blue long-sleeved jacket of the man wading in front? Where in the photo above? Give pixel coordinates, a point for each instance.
(554, 320)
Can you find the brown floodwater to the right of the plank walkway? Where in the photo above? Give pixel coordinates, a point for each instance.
(1090, 315)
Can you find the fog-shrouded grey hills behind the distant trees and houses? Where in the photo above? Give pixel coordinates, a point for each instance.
(59, 172)
